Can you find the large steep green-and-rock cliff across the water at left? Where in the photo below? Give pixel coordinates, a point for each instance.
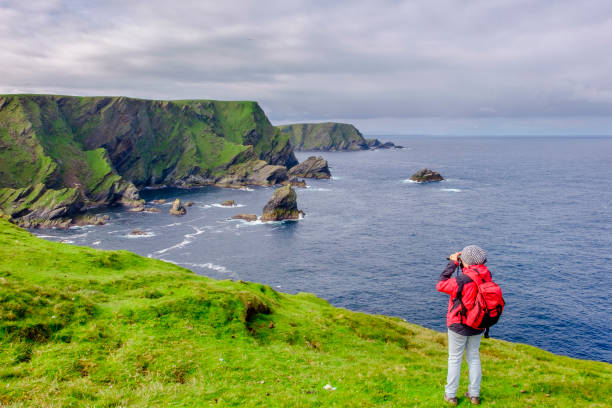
(63, 154)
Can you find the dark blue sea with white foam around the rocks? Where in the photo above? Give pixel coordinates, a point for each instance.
(372, 241)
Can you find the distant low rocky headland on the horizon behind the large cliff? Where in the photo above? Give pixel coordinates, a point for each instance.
(330, 136)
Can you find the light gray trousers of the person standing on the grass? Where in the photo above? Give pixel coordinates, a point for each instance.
(457, 344)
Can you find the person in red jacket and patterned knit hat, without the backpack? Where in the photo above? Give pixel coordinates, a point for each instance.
(462, 338)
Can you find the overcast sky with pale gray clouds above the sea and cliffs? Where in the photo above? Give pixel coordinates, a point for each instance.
(416, 67)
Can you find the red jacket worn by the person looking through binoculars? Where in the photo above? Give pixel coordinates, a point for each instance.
(450, 286)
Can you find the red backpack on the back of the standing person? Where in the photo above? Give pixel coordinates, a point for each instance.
(488, 305)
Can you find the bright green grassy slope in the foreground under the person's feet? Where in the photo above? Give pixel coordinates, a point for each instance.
(83, 327)
